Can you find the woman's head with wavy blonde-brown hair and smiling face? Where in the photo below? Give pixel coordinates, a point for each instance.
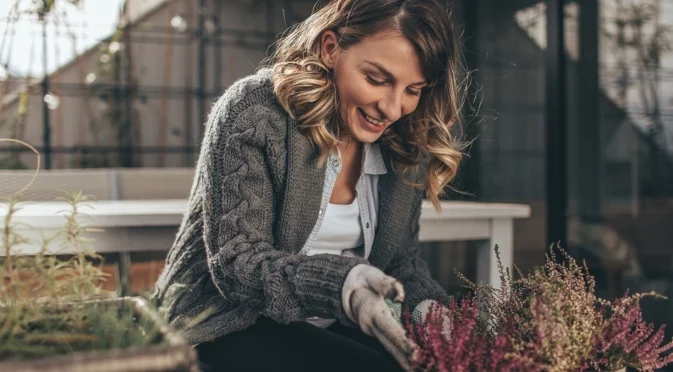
(393, 61)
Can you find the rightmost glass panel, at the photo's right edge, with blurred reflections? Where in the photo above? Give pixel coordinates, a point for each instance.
(636, 61)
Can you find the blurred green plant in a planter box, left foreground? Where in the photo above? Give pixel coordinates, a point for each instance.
(53, 312)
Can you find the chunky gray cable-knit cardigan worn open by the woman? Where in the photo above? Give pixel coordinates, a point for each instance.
(254, 201)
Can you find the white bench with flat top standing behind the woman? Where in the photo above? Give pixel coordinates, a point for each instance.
(150, 225)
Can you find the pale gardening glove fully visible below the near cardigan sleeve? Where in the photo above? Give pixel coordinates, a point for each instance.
(363, 296)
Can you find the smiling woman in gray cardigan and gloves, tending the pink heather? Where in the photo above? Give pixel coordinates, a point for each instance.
(303, 219)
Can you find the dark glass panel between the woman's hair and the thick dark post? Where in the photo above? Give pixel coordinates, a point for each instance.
(510, 64)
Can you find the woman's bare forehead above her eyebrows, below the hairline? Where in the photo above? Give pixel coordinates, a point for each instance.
(394, 52)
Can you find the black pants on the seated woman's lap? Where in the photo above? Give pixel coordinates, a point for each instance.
(269, 346)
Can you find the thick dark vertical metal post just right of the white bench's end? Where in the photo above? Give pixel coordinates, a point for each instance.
(556, 144)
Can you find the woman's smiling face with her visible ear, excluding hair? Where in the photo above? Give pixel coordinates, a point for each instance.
(378, 80)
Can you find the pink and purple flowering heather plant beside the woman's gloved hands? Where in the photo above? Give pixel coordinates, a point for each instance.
(548, 320)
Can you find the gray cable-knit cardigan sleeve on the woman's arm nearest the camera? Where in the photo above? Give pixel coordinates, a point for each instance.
(239, 214)
